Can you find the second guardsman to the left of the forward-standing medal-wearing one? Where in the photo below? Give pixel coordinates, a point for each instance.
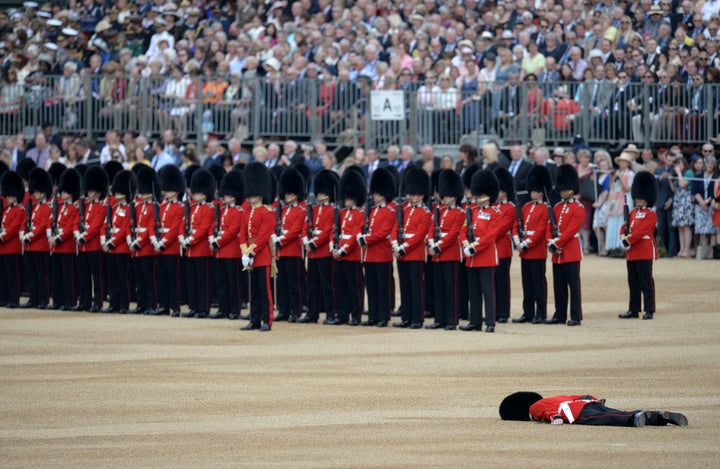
(414, 221)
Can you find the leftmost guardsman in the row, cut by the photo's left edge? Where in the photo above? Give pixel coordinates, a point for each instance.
(12, 189)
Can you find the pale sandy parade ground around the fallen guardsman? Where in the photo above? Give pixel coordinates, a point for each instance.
(95, 390)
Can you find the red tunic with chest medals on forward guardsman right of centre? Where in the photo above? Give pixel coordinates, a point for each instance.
(486, 222)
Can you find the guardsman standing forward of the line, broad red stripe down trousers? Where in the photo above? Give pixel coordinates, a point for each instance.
(255, 236)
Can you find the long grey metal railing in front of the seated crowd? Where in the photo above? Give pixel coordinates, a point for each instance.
(310, 109)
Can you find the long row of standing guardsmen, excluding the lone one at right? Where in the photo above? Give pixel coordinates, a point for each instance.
(165, 239)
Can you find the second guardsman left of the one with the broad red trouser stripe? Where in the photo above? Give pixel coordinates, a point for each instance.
(196, 243)
